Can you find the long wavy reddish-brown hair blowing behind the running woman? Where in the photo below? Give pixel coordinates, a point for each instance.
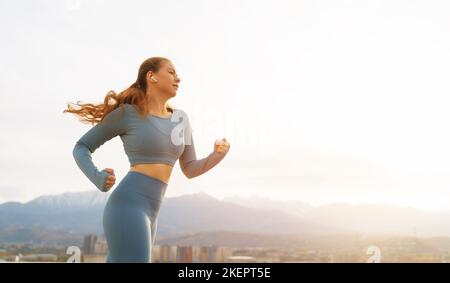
(90, 113)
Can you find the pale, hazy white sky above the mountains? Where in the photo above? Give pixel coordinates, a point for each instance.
(321, 101)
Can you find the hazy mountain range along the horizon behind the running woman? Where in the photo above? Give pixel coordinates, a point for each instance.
(64, 218)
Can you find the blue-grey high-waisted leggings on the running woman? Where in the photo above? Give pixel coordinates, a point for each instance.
(130, 218)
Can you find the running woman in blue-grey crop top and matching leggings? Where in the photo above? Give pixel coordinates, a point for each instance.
(154, 135)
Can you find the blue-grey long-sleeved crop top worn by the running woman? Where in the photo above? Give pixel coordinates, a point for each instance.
(149, 139)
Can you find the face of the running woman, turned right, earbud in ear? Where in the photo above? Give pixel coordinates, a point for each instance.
(167, 78)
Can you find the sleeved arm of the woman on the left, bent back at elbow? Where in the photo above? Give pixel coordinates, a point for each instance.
(113, 124)
